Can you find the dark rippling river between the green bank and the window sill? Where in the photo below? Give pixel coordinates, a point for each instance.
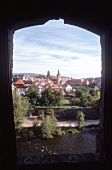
(84, 142)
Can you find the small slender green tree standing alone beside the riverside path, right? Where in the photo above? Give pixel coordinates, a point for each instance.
(80, 118)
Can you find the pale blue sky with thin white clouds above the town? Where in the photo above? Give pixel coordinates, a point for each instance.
(76, 52)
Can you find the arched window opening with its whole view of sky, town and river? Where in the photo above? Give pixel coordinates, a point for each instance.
(61, 58)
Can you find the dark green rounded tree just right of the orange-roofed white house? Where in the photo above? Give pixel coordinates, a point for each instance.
(34, 97)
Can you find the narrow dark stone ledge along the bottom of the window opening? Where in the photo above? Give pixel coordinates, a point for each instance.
(56, 159)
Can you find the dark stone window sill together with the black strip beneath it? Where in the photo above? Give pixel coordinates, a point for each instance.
(89, 160)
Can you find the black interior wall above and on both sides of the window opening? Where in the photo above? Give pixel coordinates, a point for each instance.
(94, 16)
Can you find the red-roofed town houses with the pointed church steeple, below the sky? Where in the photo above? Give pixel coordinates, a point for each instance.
(21, 83)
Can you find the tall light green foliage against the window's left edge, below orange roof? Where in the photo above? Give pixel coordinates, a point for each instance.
(20, 106)
